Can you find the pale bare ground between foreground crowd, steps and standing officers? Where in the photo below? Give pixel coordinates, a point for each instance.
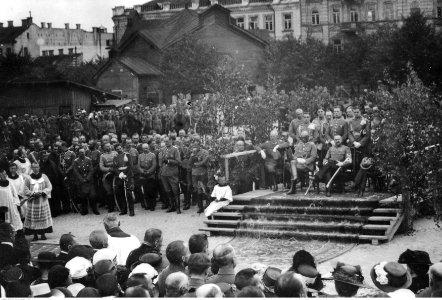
(427, 237)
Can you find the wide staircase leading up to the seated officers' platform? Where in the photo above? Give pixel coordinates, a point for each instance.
(345, 217)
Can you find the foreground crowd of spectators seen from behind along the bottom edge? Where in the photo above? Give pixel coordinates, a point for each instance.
(117, 264)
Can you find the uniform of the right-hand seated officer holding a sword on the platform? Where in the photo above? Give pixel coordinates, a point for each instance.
(333, 156)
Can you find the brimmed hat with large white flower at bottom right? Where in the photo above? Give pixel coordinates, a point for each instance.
(390, 276)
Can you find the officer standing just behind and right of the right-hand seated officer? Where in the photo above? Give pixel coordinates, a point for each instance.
(359, 137)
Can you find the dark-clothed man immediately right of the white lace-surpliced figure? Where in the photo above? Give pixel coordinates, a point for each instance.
(51, 170)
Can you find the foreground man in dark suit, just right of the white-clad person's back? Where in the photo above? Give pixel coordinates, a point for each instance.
(153, 240)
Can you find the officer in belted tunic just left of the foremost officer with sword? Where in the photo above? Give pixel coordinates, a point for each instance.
(106, 168)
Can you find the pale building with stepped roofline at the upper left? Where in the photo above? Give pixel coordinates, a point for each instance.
(44, 40)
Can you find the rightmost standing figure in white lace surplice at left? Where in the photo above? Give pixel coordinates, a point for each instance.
(38, 217)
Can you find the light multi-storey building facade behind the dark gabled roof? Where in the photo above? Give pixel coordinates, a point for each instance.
(278, 18)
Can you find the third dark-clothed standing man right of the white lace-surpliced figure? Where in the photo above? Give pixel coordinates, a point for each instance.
(84, 171)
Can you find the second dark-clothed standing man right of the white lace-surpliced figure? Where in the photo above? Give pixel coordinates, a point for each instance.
(66, 166)
